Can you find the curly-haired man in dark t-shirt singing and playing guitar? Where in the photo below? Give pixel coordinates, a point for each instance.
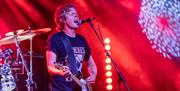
(58, 47)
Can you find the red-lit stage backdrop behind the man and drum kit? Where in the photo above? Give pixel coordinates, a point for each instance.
(143, 67)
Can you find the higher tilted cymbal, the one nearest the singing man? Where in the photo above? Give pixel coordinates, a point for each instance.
(37, 31)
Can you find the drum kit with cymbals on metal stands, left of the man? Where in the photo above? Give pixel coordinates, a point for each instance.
(6, 77)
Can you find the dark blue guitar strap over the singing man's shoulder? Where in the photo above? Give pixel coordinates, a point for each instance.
(70, 54)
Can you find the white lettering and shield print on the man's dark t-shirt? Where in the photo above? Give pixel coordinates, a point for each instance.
(79, 53)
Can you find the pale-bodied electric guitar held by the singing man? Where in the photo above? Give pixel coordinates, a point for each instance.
(82, 83)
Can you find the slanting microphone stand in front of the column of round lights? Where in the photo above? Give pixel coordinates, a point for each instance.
(121, 78)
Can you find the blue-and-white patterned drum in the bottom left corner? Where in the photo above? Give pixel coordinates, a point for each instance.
(7, 79)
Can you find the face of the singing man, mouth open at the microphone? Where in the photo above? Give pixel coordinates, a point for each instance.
(70, 18)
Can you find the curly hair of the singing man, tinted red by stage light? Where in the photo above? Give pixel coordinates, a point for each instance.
(60, 15)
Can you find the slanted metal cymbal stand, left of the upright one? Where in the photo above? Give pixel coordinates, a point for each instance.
(29, 74)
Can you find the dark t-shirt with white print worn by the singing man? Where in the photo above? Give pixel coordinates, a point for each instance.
(80, 48)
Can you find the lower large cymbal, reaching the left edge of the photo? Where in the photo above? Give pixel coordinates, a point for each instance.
(12, 39)
